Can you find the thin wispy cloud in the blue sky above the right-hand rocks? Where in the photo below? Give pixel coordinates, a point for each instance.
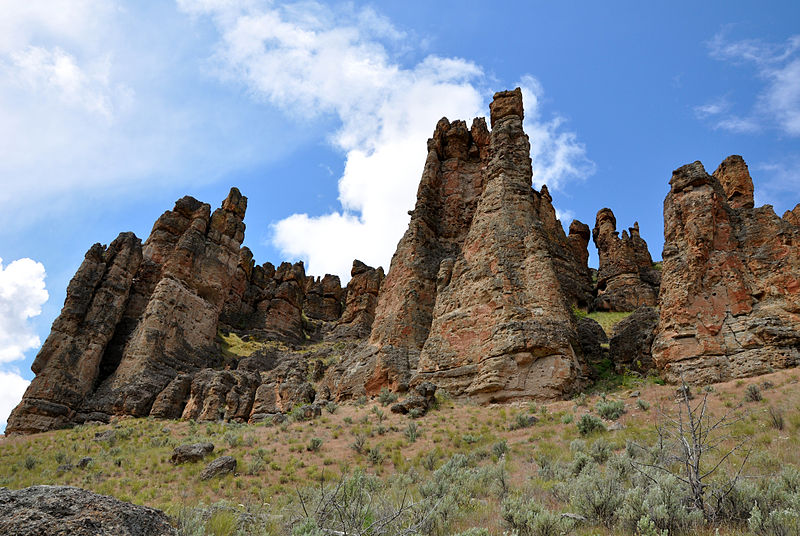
(777, 65)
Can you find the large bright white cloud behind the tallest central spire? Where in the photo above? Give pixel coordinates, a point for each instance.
(312, 60)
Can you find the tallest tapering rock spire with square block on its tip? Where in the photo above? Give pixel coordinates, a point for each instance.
(501, 324)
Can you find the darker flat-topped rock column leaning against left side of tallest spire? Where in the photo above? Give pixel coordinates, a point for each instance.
(451, 184)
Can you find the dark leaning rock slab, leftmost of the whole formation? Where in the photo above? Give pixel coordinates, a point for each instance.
(68, 365)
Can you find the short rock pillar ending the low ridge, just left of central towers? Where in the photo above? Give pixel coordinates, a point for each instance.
(361, 300)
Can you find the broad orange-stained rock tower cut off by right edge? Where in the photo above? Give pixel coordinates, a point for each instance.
(730, 291)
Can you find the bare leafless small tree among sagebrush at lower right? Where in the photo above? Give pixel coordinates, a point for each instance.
(694, 446)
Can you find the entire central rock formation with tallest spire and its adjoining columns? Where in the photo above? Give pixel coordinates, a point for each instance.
(478, 296)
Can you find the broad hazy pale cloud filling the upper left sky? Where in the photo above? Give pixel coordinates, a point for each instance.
(98, 100)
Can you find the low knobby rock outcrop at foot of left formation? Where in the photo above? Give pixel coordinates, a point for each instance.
(222, 395)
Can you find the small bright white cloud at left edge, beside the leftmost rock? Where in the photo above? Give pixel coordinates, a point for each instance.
(22, 294)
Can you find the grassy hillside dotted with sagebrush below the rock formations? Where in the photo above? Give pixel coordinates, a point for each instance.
(484, 457)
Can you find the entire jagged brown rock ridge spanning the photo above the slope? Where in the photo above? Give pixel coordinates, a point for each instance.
(482, 300)
